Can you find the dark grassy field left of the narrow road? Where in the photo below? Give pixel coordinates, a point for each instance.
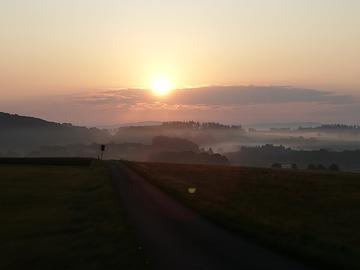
(62, 217)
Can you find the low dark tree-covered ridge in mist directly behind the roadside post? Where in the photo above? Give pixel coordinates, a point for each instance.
(162, 149)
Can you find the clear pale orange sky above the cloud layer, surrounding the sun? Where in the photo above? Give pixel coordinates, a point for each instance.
(73, 47)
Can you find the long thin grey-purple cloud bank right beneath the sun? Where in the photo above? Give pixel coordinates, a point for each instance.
(223, 96)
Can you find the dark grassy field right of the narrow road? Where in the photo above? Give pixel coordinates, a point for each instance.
(312, 215)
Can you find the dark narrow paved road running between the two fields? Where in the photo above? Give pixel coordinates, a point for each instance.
(175, 237)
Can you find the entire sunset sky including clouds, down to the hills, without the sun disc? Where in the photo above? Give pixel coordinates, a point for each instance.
(93, 62)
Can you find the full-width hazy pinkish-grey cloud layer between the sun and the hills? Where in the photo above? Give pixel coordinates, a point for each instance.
(229, 104)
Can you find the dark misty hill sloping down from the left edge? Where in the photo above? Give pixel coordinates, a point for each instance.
(20, 134)
